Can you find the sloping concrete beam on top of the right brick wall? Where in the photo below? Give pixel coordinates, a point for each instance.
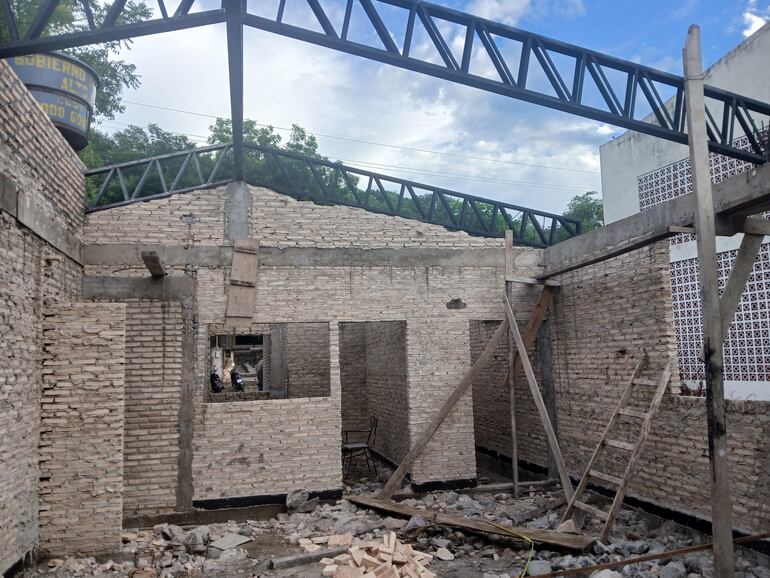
(742, 195)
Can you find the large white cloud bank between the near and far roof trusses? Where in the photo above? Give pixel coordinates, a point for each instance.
(327, 92)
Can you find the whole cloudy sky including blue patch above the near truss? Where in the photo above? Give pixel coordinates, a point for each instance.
(405, 124)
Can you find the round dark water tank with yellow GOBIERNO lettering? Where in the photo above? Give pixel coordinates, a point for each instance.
(66, 89)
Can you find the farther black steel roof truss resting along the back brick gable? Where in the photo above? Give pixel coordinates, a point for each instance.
(323, 182)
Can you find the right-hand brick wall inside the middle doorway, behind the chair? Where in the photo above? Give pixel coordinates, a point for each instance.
(386, 387)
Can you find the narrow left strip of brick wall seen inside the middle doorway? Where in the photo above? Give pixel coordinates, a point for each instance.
(355, 411)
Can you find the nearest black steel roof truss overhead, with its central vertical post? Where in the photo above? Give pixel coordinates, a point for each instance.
(491, 56)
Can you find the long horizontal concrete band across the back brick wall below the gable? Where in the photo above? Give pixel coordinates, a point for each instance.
(221, 256)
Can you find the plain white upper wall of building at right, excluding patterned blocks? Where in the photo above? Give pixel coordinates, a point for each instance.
(744, 70)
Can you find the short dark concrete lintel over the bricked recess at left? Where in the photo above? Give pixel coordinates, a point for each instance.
(170, 288)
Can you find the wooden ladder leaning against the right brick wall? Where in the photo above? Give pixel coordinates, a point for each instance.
(635, 450)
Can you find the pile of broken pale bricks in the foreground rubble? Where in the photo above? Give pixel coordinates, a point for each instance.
(389, 558)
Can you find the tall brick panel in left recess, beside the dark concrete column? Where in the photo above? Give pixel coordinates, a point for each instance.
(153, 389)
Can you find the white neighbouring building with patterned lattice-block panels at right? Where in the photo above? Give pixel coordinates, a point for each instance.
(640, 171)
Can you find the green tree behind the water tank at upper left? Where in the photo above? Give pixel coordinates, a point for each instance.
(69, 16)
